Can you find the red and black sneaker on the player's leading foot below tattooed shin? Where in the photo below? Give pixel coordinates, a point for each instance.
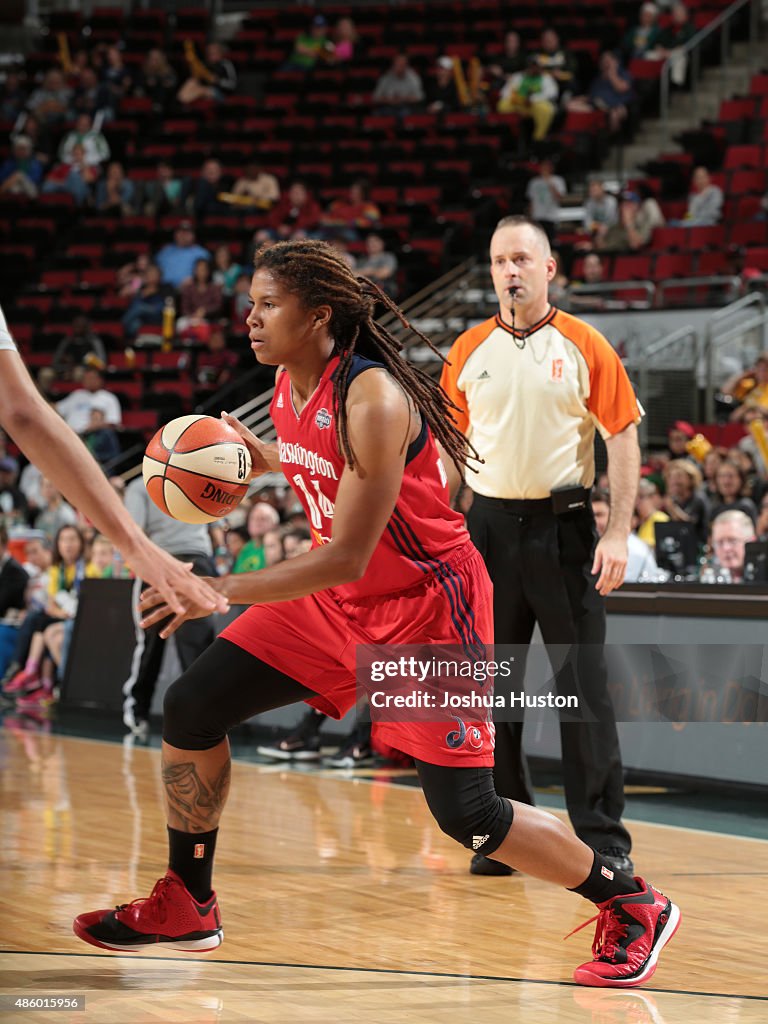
(170, 917)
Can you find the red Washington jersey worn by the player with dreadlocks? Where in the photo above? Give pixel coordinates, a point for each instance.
(423, 530)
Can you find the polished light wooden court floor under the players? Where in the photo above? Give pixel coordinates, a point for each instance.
(342, 902)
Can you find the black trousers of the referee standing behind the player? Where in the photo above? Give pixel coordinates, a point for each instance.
(540, 566)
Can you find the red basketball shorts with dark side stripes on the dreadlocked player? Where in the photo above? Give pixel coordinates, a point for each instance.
(314, 642)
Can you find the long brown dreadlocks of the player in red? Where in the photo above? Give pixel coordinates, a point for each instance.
(319, 276)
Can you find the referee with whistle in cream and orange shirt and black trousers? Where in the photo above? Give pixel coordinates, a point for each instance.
(532, 385)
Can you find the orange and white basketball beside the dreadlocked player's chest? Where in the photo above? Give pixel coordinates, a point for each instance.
(197, 470)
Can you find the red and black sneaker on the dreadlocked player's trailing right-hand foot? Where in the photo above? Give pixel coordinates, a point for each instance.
(631, 933)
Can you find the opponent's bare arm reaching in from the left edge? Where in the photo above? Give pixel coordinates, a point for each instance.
(63, 459)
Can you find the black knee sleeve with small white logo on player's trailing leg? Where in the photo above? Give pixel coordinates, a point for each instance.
(466, 806)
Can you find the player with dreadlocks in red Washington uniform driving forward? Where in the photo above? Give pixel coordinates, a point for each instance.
(359, 432)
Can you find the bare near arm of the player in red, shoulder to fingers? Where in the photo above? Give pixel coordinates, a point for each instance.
(379, 423)
